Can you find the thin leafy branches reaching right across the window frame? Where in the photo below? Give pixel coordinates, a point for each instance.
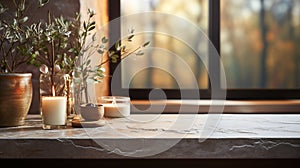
(84, 71)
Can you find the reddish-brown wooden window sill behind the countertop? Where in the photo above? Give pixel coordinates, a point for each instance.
(208, 106)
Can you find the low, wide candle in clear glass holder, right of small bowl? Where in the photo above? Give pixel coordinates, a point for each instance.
(115, 106)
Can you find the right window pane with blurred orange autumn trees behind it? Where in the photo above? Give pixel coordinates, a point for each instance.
(260, 43)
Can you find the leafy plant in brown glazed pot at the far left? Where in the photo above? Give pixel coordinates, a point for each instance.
(15, 85)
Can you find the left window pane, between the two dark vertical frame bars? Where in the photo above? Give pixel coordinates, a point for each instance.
(160, 61)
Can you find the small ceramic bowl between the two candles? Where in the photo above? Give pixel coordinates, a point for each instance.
(92, 112)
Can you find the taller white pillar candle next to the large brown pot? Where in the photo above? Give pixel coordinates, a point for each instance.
(54, 110)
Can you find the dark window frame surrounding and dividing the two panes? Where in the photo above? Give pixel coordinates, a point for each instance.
(214, 27)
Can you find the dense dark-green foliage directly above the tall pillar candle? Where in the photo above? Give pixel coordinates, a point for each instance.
(51, 45)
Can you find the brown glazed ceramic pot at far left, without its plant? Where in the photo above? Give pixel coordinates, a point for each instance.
(15, 98)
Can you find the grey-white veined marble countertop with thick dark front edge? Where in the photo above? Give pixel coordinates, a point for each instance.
(160, 136)
